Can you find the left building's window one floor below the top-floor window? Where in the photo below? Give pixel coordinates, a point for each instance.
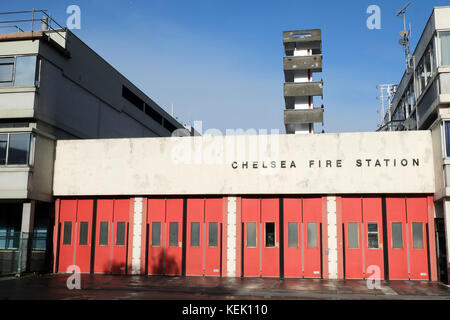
(15, 148)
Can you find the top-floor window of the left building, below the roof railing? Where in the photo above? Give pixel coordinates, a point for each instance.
(18, 71)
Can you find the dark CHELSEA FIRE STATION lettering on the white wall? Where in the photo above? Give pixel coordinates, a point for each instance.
(339, 163)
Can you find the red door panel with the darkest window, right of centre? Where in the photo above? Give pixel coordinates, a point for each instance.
(270, 255)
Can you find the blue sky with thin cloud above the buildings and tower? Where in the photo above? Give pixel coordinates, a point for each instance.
(221, 61)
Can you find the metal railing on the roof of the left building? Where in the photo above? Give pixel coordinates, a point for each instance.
(40, 20)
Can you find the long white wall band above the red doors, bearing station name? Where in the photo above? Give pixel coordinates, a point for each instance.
(203, 165)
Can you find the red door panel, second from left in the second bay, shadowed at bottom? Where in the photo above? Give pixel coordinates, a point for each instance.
(174, 214)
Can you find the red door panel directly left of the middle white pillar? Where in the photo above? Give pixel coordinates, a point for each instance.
(213, 213)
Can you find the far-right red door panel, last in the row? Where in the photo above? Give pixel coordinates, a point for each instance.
(417, 211)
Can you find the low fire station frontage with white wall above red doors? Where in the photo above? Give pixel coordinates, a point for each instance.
(333, 206)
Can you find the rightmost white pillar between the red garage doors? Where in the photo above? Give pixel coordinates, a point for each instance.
(332, 238)
